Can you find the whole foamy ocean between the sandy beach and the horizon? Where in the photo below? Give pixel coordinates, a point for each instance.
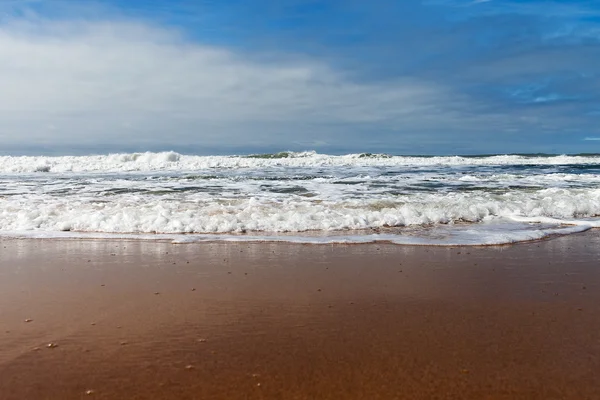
(301, 197)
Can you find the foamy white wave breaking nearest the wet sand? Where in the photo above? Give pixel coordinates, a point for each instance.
(132, 212)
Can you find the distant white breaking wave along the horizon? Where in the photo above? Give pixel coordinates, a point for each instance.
(171, 161)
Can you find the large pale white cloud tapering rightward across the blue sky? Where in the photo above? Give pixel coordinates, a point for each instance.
(127, 82)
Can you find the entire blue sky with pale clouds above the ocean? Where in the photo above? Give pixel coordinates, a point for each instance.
(337, 76)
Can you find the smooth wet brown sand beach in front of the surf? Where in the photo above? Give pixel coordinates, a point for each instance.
(277, 321)
